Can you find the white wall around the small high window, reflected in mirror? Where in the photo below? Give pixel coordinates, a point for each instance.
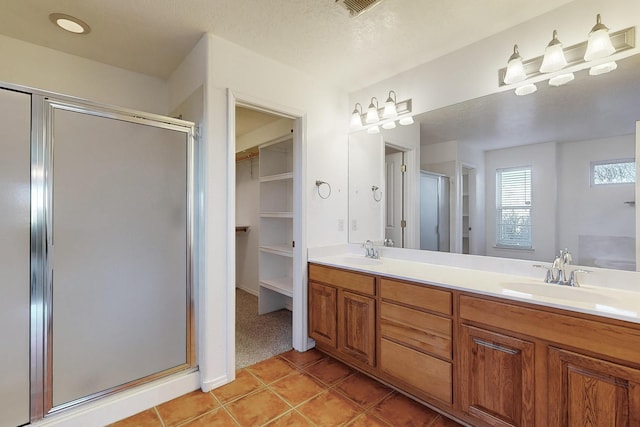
(596, 211)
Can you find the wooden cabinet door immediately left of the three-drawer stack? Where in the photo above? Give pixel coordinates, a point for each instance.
(356, 335)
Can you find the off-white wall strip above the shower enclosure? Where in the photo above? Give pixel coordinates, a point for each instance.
(47, 69)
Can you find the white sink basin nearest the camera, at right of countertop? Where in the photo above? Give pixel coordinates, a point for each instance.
(567, 293)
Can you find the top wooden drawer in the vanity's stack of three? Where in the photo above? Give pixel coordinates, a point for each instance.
(417, 296)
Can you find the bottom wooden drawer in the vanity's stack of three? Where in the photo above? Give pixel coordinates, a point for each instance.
(423, 372)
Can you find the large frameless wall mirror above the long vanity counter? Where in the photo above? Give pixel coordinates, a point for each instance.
(559, 146)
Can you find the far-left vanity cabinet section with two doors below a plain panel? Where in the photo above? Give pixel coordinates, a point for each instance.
(342, 314)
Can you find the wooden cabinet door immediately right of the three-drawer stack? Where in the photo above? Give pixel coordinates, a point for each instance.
(497, 380)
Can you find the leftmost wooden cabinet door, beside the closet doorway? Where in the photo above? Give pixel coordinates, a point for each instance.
(323, 305)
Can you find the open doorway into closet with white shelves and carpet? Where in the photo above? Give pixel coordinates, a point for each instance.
(266, 212)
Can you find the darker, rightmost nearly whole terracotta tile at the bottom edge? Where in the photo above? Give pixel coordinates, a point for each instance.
(402, 411)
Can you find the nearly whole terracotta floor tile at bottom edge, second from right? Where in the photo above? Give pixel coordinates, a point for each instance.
(329, 409)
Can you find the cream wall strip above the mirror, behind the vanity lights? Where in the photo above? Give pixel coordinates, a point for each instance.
(472, 71)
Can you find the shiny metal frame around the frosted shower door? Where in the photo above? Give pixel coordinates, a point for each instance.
(42, 244)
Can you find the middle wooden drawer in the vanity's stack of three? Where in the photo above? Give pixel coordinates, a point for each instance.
(422, 331)
